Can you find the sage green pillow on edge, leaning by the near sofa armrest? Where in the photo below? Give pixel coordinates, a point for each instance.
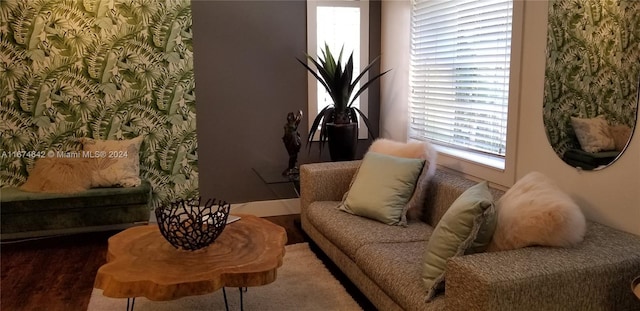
(466, 227)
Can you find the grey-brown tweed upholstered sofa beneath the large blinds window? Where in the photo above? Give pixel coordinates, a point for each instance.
(385, 262)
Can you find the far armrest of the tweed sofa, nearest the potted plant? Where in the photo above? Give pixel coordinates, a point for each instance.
(326, 181)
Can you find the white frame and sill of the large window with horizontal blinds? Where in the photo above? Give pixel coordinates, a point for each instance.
(495, 169)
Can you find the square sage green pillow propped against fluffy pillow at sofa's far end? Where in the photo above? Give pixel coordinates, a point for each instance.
(382, 187)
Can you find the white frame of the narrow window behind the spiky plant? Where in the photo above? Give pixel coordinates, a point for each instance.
(312, 48)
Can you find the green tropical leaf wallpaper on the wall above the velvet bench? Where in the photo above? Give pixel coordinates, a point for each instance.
(105, 69)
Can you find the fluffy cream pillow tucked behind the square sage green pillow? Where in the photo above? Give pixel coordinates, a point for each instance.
(415, 150)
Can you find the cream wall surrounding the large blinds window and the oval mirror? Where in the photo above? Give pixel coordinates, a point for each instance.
(610, 196)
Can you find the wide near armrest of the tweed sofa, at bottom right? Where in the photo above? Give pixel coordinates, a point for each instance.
(595, 275)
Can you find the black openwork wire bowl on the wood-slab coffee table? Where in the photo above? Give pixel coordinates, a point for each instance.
(191, 225)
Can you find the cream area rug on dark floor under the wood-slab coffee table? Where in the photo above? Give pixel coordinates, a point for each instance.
(303, 283)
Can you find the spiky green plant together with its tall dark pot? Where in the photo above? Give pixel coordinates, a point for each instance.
(338, 122)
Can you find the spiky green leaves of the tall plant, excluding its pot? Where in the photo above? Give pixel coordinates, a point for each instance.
(338, 80)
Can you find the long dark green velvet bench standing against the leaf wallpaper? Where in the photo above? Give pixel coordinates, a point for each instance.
(28, 214)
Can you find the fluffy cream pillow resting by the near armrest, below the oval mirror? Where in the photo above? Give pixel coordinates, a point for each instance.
(536, 212)
